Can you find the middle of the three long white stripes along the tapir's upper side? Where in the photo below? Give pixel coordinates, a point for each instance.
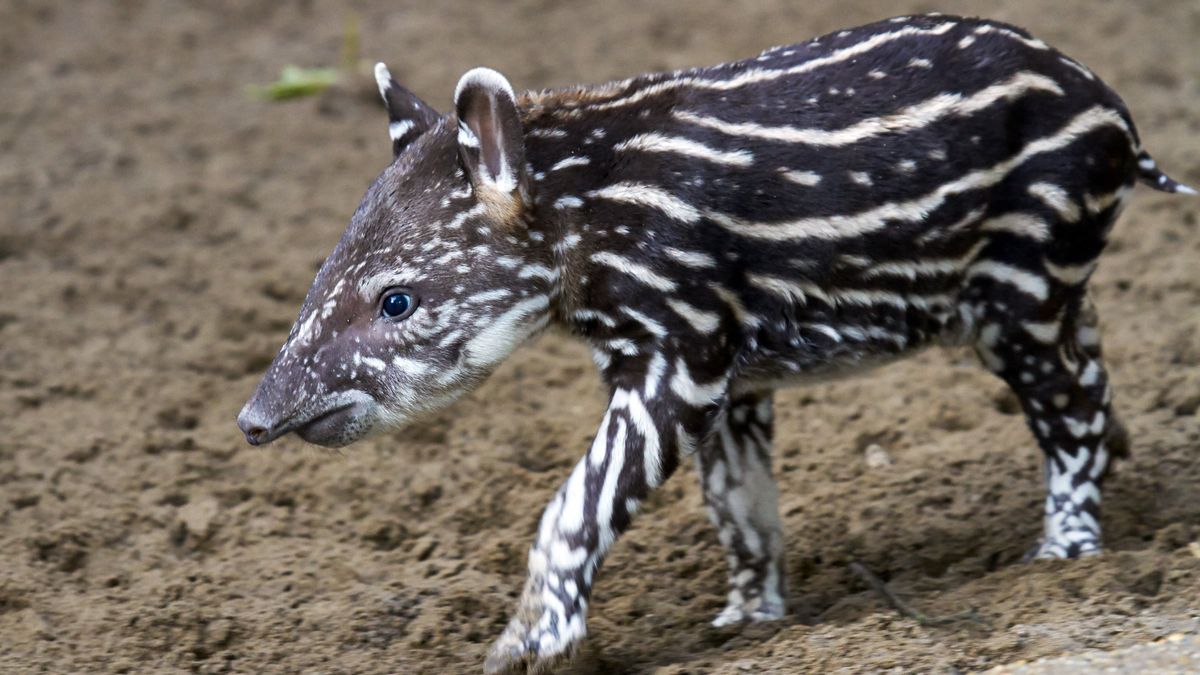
(904, 121)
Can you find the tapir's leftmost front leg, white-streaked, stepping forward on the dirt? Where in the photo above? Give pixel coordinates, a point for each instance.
(637, 449)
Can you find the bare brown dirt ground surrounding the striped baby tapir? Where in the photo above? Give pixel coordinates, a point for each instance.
(160, 231)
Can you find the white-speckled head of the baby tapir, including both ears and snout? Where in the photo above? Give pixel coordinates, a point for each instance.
(435, 282)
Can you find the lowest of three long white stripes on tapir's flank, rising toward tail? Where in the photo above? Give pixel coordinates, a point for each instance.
(916, 211)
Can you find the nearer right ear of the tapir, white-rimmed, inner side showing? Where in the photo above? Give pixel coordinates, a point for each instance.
(491, 142)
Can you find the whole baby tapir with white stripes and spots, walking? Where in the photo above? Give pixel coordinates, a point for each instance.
(715, 235)
